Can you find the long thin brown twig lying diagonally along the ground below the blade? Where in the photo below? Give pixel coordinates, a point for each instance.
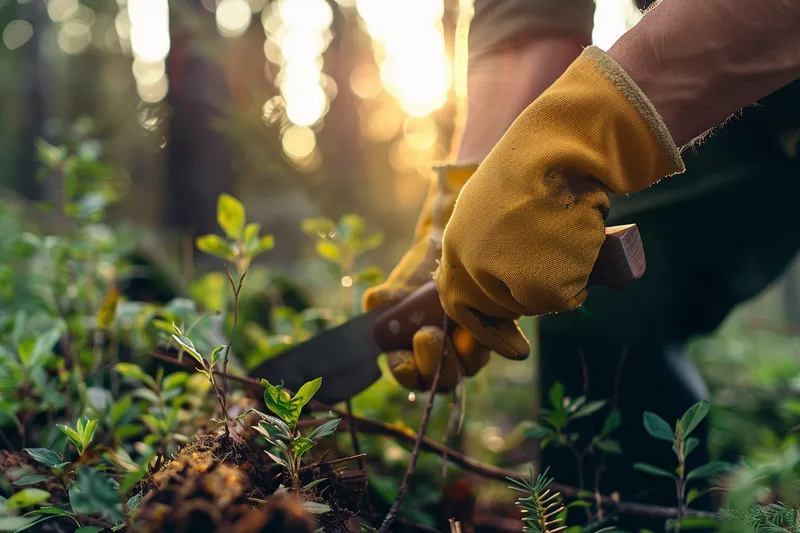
(368, 425)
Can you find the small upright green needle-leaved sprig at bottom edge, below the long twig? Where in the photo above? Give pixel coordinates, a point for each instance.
(542, 506)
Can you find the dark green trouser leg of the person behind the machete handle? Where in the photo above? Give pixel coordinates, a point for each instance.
(713, 237)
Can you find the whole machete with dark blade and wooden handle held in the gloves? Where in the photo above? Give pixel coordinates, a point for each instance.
(346, 357)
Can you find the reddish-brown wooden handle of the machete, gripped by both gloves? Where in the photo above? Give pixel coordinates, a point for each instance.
(620, 262)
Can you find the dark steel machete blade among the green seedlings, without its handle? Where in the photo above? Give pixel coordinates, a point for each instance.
(345, 357)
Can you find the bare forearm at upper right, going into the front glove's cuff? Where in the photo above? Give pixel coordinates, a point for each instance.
(699, 62)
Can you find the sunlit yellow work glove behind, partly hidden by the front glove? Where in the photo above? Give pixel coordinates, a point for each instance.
(415, 370)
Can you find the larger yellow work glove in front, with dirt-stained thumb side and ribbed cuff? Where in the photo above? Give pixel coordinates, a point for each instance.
(529, 224)
